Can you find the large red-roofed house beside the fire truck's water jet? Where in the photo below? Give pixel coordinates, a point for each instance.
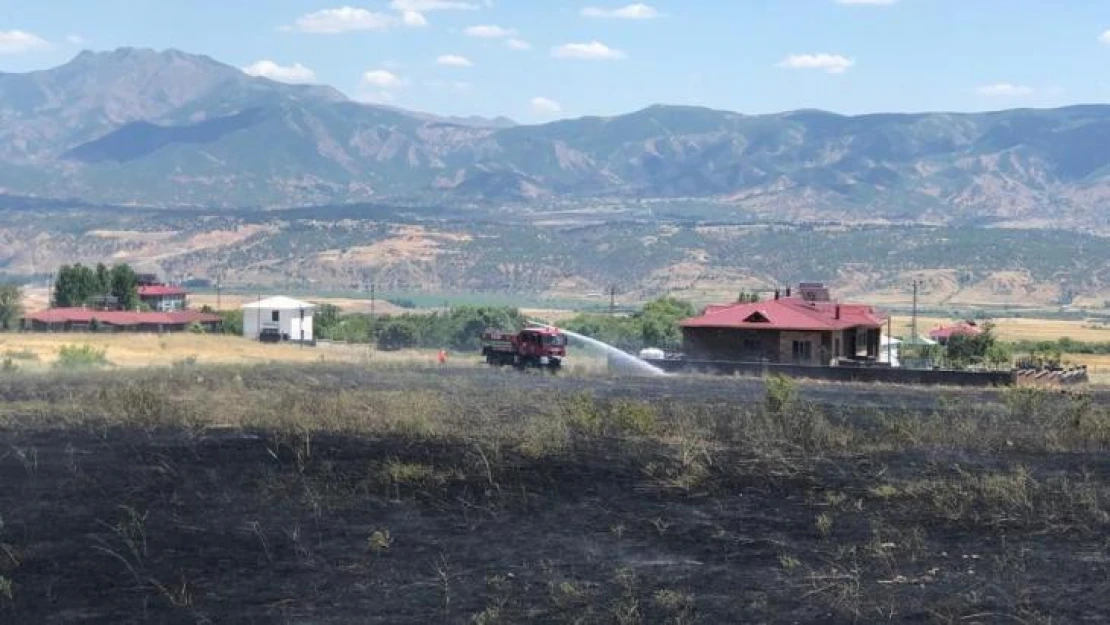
(808, 329)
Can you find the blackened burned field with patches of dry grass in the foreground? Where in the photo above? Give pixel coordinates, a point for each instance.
(325, 496)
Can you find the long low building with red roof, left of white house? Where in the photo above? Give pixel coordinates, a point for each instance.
(87, 320)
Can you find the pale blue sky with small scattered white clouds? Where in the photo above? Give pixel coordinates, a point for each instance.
(537, 61)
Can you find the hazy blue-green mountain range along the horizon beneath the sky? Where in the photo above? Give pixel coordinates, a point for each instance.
(168, 128)
